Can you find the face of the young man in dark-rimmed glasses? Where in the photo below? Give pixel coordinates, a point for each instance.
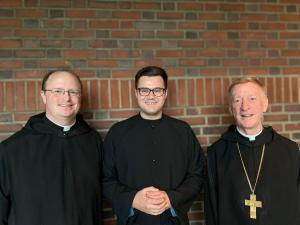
(151, 105)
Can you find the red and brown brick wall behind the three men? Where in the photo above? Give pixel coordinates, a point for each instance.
(203, 45)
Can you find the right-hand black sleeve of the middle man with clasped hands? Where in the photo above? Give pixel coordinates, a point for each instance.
(182, 197)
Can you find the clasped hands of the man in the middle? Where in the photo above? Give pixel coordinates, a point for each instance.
(151, 200)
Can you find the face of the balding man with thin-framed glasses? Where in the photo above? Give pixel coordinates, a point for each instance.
(61, 109)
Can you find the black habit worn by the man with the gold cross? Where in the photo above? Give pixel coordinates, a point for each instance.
(277, 187)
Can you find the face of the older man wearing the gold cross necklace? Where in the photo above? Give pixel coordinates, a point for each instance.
(248, 103)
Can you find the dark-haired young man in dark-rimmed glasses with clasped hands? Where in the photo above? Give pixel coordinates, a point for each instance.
(153, 163)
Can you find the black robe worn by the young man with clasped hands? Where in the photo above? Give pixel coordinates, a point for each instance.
(163, 153)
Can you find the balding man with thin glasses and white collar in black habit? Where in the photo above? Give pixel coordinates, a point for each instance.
(50, 170)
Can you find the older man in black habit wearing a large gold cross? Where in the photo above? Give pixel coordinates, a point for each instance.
(253, 172)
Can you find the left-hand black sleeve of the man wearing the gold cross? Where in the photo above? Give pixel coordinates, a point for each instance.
(210, 196)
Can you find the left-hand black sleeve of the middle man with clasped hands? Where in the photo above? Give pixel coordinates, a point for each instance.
(119, 195)
